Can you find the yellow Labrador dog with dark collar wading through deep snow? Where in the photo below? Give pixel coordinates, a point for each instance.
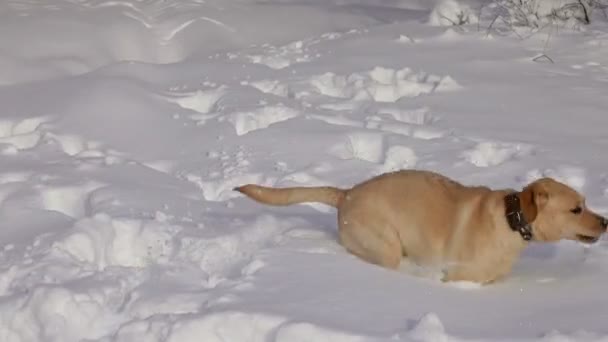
(471, 233)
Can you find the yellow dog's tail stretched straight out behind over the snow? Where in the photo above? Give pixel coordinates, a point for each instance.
(287, 196)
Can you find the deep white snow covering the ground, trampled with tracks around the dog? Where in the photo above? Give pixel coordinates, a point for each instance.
(124, 125)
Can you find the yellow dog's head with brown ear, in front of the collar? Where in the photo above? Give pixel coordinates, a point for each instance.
(556, 211)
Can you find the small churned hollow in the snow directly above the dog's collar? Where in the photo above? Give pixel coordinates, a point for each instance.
(488, 153)
